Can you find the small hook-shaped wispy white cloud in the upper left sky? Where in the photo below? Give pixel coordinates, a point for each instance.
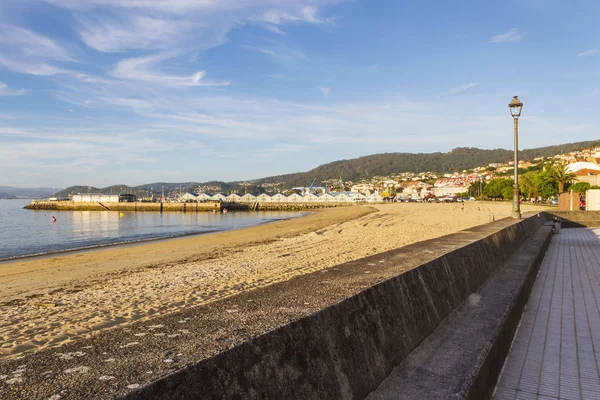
(140, 69)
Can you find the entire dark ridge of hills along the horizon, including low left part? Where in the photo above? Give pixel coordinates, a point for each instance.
(355, 169)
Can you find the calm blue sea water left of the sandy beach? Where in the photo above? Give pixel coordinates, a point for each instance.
(27, 232)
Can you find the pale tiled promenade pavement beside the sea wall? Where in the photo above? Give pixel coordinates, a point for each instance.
(556, 351)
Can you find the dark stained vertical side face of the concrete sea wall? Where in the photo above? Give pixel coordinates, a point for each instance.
(346, 350)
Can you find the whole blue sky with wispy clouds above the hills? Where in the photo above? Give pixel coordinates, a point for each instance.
(100, 92)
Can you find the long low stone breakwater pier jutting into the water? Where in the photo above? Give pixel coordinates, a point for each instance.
(208, 206)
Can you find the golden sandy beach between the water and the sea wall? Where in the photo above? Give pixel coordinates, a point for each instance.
(53, 300)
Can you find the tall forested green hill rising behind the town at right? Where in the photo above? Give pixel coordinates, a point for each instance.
(390, 163)
